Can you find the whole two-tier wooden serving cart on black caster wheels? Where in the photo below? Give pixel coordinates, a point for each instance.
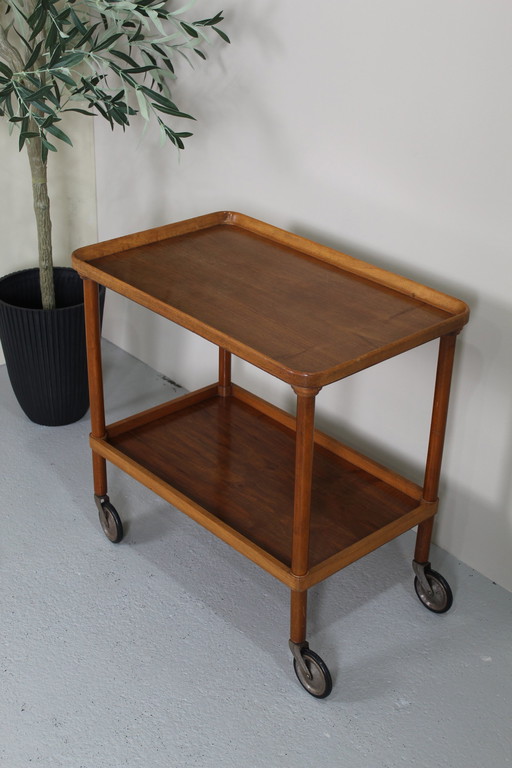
(291, 499)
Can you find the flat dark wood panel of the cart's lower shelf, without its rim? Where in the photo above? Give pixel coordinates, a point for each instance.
(238, 464)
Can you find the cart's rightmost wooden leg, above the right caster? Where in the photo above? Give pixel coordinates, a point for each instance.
(436, 441)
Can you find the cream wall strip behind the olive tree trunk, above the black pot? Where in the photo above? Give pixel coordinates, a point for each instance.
(72, 189)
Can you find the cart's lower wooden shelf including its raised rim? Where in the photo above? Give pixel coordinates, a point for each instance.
(229, 463)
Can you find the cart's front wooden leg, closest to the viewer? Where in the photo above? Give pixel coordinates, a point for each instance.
(302, 501)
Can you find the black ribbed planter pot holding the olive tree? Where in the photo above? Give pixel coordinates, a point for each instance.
(45, 349)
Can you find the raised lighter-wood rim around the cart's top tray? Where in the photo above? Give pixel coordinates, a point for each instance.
(456, 310)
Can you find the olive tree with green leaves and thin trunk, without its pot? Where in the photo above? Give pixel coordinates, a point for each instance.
(112, 58)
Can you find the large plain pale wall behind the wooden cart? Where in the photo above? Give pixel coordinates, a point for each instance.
(382, 129)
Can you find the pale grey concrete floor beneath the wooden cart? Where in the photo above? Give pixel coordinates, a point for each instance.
(170, 649)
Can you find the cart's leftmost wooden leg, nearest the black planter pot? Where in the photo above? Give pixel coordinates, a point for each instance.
(97, 406)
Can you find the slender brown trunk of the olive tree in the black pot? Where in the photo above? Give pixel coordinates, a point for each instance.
(38, 169)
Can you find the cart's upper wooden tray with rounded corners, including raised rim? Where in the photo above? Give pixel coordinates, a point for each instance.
(299, 310)
